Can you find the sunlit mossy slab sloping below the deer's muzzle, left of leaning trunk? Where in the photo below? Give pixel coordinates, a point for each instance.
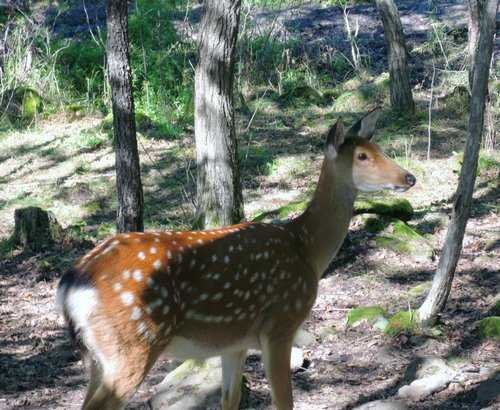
(403, 239)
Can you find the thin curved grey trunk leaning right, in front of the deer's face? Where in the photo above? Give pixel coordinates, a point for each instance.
(436, 300)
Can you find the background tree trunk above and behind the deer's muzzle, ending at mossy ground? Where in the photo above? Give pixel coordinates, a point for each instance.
(401, 96)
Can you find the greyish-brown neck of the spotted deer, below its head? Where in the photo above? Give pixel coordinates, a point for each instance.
(323, 226)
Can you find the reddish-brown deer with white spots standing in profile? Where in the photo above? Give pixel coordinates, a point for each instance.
(219, 292)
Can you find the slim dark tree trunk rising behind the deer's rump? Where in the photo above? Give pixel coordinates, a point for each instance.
(128, 174)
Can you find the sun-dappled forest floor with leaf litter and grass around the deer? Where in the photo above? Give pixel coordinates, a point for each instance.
(345, 366)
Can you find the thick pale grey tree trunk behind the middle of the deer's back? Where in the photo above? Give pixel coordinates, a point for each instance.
(219, 196)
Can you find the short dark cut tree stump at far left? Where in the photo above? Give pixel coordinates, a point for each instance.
(35, 228)
